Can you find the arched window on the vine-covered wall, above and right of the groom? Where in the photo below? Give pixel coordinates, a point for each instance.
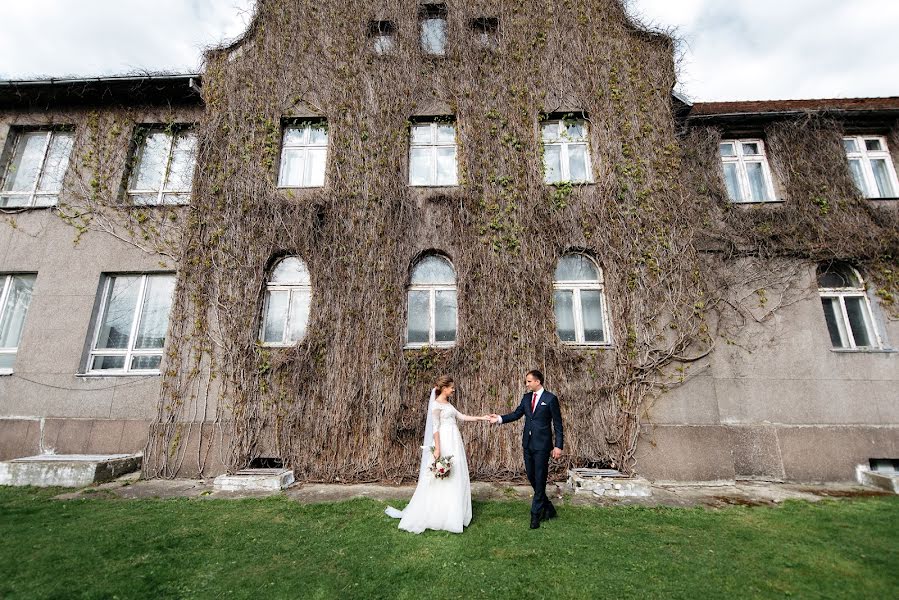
(579, 302)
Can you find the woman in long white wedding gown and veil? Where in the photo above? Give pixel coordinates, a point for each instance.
(440, 503)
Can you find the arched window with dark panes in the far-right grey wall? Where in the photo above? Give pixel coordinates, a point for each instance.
(846, 307)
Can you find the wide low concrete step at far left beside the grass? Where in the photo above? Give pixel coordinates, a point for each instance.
(67, 470)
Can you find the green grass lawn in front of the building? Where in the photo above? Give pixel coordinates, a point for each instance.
(277, 548)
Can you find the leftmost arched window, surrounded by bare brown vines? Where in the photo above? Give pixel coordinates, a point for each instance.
(287, 298)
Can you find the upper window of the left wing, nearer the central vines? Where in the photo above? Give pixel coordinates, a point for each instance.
(162, 171)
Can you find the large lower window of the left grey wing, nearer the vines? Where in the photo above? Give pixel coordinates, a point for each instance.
(132, 323)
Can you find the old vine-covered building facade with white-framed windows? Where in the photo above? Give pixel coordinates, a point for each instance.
(274, 258)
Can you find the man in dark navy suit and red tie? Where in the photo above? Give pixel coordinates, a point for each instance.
(539, 407)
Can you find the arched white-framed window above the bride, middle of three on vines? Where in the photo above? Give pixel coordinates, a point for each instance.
(431, 303)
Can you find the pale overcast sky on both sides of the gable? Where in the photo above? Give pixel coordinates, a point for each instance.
(732, 49)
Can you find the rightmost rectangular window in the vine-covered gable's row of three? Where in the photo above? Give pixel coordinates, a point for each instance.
(566, 151)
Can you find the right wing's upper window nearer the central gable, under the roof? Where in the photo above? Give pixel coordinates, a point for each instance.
(746, 173)
